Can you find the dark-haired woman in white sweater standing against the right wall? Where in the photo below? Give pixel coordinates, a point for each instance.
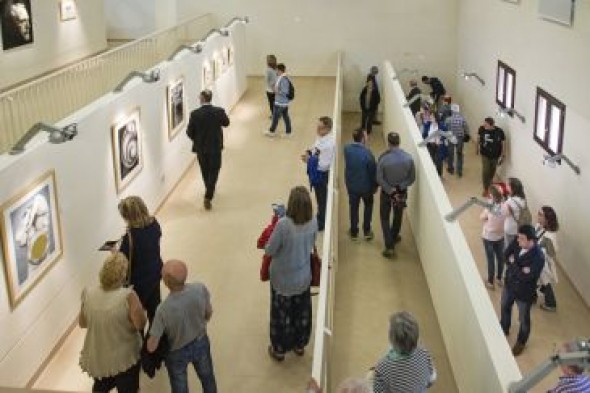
(546, 231)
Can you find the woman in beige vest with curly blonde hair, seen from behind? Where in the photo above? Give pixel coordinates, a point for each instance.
(113, 317)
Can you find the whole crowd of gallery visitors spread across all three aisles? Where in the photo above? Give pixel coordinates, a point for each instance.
(128, 324)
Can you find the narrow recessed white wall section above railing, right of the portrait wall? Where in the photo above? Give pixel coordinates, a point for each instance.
(132, 19)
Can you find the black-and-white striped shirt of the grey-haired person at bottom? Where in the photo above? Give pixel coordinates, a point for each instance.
(397, 373)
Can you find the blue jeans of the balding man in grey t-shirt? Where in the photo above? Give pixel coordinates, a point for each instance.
(197, 352)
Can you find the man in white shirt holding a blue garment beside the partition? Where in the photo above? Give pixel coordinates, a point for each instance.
(319, 161)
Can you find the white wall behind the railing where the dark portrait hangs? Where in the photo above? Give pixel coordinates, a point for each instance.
(55, 43)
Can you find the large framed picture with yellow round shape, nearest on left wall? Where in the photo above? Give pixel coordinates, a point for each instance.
(31, 236)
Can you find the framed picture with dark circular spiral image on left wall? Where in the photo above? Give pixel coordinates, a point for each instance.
(127, 154)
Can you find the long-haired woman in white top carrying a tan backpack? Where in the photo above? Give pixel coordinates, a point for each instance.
(515, 209)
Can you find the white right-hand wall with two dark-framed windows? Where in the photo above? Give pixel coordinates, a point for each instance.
(556, 59)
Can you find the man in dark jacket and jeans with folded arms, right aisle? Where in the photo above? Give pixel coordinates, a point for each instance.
(524, 261)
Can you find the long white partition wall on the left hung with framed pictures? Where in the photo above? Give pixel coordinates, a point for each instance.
(88, 199)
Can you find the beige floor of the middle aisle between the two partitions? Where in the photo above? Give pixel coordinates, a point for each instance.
(371, 288)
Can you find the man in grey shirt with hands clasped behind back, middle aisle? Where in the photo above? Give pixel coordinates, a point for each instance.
(395, 173)
